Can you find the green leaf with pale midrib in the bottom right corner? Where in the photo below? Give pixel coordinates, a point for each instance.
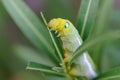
(113, 74)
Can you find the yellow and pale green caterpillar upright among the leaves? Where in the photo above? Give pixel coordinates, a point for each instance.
(71, 40)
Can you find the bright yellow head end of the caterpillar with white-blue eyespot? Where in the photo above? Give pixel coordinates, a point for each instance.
(60, 25)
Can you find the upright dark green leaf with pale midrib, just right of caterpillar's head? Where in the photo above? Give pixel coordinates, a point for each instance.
(86, 16)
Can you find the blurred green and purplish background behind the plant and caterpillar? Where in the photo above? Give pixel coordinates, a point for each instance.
(12, 65)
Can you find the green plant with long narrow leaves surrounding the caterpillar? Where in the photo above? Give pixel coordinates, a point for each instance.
(91, 24)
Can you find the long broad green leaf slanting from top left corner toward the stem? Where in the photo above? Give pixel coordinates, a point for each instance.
(30, 25)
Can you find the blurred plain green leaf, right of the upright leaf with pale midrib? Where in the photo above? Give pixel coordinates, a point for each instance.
(102, 18)
